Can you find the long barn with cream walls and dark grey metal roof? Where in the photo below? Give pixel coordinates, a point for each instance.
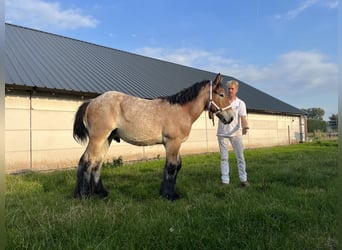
(48, 76)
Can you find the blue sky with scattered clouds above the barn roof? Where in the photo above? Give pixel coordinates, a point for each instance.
(288, 49)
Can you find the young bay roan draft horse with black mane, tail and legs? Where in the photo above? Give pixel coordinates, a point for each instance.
(165, 120)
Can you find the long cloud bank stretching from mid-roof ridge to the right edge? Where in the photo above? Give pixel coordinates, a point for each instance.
(301, 71)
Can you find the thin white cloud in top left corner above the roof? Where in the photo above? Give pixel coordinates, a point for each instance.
(40, 14)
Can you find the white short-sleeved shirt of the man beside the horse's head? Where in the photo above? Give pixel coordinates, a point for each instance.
(234, 128)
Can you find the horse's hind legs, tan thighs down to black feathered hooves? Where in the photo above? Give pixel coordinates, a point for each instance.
(89, 168)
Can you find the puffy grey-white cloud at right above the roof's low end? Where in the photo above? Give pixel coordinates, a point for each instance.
(301, 71)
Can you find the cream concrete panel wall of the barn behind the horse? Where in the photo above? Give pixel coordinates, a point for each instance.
(38, 134)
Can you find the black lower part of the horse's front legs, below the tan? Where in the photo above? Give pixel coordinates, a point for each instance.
(167, 189)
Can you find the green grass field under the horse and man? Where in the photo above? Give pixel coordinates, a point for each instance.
(291, 204)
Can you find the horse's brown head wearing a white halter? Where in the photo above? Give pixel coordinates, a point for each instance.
(219, 104)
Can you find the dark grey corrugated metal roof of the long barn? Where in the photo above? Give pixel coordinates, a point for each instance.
(44, 60)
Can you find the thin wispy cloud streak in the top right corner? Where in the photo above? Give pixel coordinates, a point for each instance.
(304, 5)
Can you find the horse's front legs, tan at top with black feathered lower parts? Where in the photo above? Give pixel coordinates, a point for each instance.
(172, 167)
